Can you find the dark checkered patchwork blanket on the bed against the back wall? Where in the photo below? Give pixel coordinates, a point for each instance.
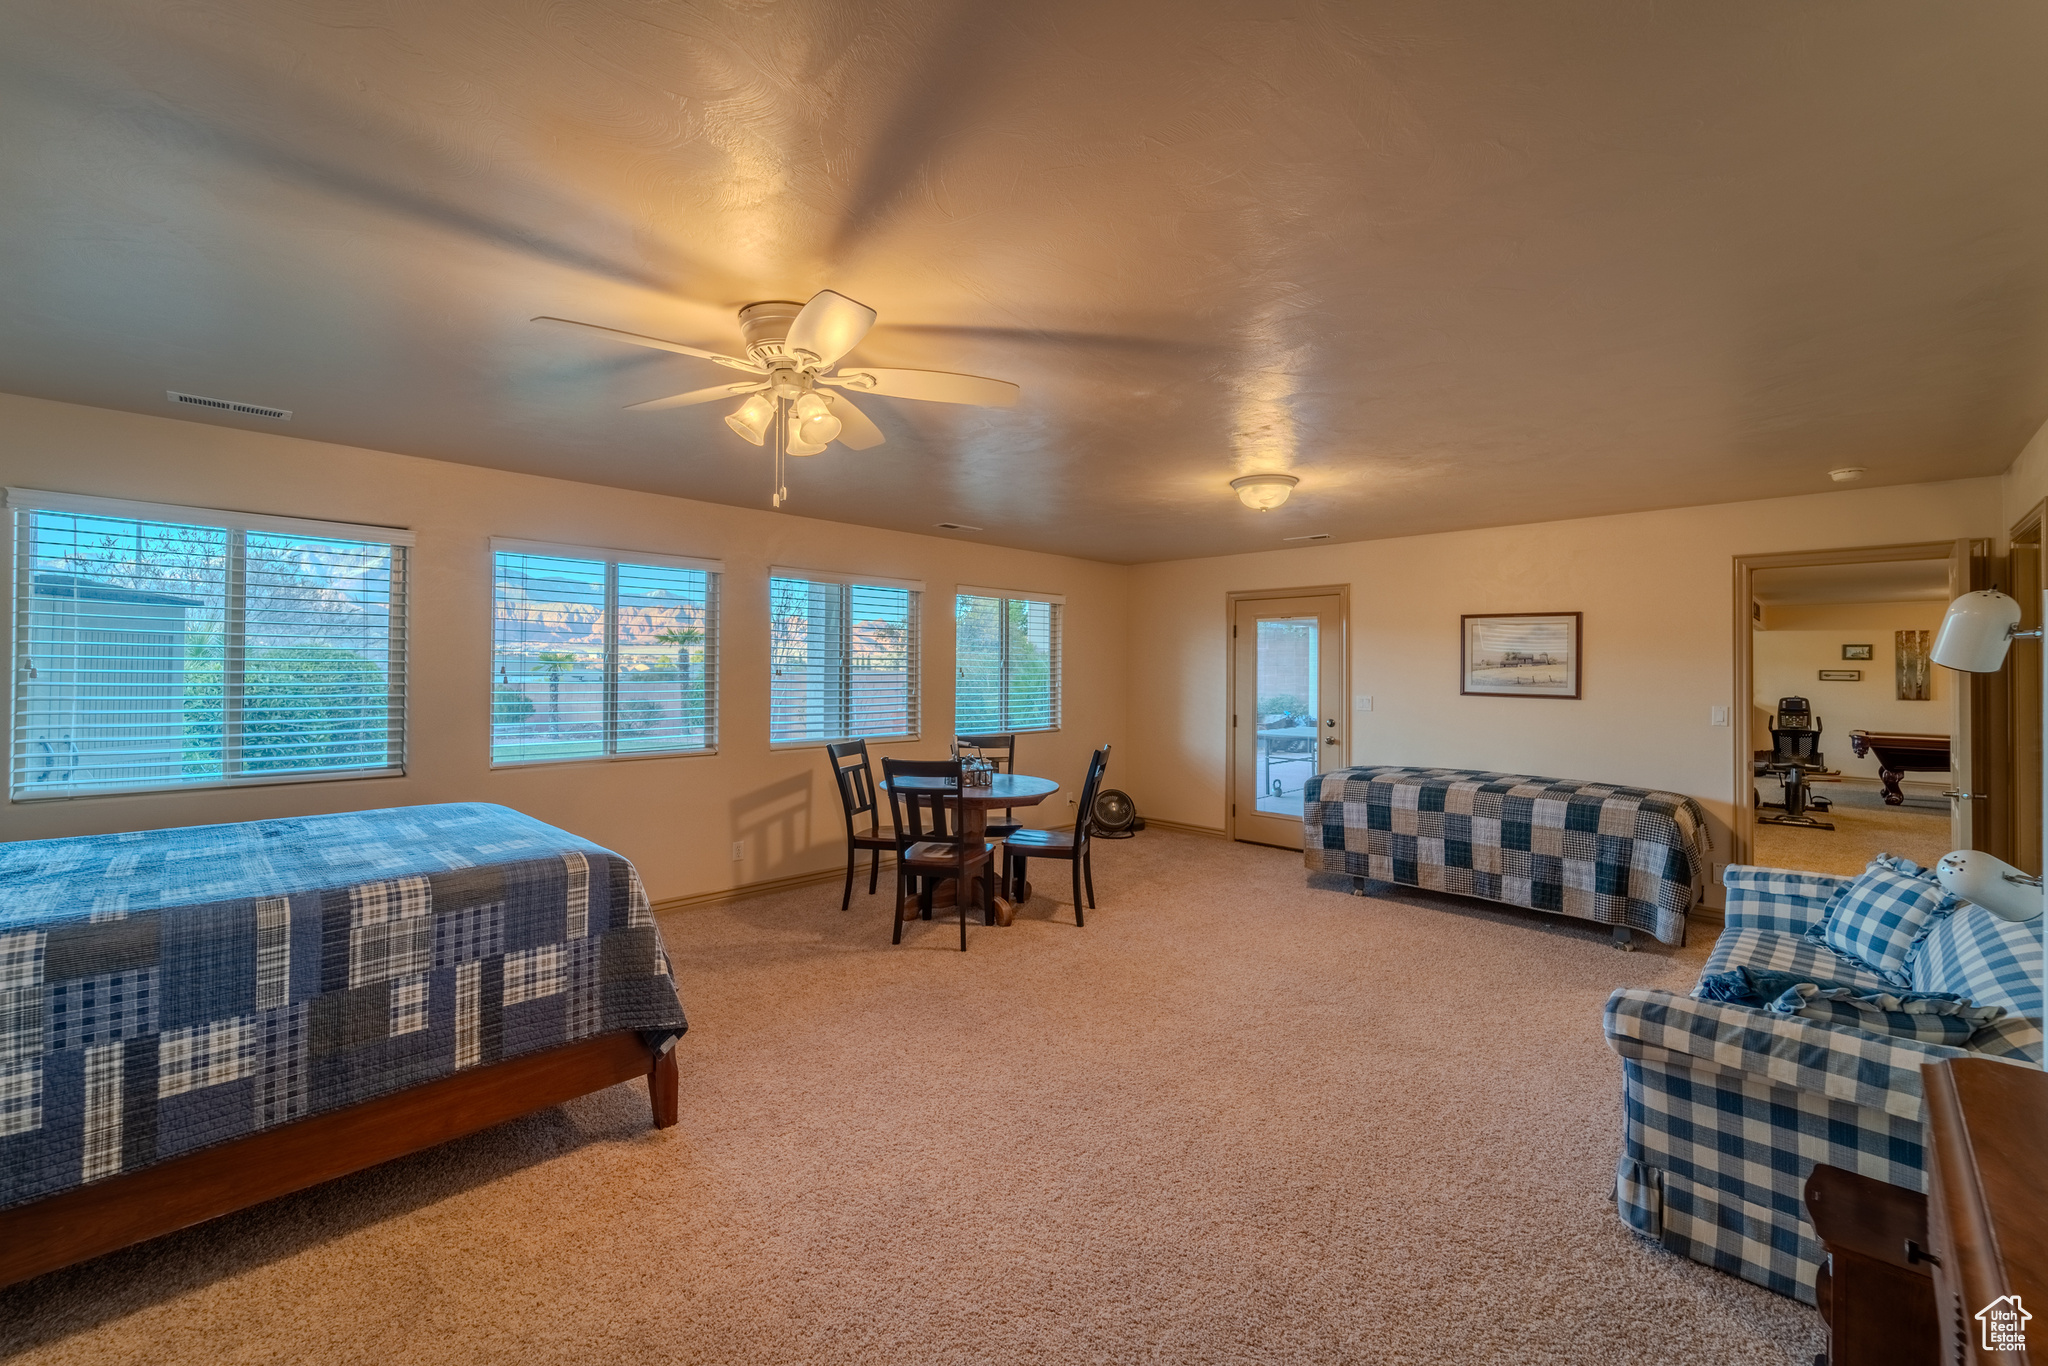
(1613, 855)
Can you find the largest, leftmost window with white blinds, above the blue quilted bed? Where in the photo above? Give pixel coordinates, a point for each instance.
(165, 648)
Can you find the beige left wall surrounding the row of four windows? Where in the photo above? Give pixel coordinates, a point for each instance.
(677, 818)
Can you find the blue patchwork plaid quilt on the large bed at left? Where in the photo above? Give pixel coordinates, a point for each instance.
(169, 990)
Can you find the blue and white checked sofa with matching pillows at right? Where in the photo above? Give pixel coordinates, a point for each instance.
(1727, 1109)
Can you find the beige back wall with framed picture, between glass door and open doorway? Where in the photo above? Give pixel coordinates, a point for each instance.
(1658, 599)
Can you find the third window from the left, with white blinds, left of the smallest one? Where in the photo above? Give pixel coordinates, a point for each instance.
(845, 658)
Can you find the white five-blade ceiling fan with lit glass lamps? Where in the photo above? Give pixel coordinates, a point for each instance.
(798, 394)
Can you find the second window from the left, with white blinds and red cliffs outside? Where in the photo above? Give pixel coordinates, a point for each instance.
(601, 654)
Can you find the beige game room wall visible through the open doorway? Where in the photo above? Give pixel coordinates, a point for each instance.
(1799, 642)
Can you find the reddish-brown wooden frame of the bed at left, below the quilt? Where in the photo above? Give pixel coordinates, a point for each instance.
(185, 1191)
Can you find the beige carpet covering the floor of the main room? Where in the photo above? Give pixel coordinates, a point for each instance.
(1230, 1121)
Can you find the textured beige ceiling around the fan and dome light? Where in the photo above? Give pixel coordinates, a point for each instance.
(1453, 265)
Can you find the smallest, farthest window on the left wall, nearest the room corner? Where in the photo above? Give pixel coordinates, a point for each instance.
(1007, 663)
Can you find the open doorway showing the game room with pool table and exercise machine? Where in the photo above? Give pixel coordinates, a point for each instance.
(1850, 740)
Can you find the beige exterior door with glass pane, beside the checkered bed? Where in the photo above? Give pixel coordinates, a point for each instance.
(1287, 710)
